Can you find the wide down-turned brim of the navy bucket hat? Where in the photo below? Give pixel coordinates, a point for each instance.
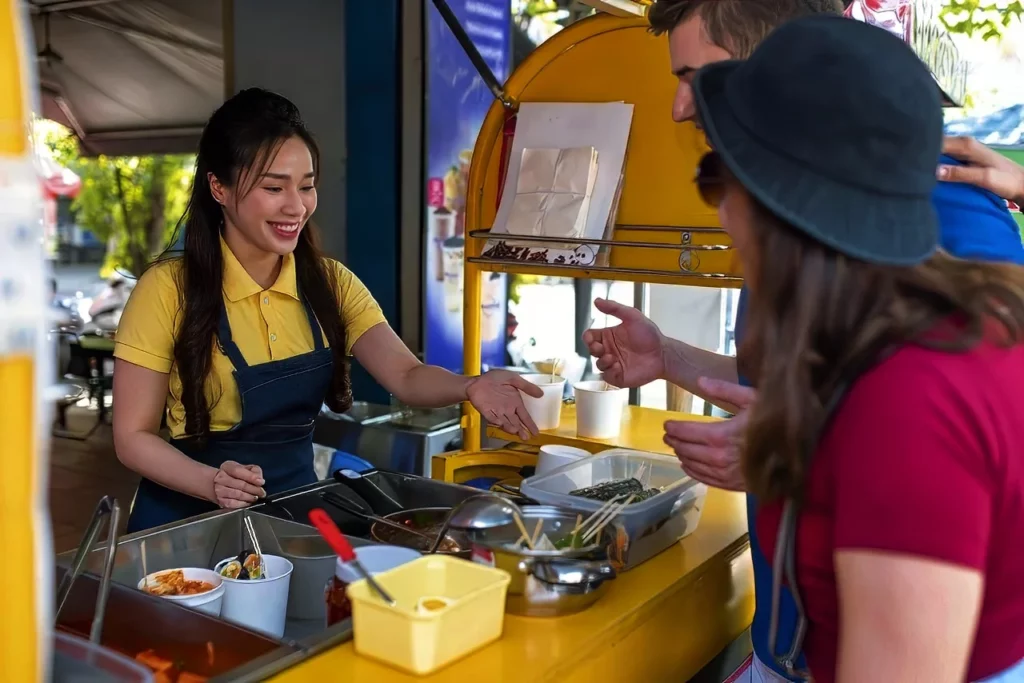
(885, 230)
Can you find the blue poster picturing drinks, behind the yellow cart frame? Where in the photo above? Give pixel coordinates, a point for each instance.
(457, 102)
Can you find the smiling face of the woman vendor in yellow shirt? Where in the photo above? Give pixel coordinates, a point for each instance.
(267, 215)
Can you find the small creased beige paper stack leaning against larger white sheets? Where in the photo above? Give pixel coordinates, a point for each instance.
(553, 193)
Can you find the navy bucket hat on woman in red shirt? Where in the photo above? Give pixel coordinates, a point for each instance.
(836, 127)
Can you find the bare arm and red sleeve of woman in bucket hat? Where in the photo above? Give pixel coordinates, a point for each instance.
(909, 565)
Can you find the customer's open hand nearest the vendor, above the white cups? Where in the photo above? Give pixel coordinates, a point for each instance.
(629, 355)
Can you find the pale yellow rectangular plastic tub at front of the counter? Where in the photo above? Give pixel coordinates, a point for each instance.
(466, 612)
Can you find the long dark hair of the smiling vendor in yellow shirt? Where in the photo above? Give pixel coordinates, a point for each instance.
(239, 142)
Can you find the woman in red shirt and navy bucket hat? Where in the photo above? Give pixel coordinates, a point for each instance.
(888, 442)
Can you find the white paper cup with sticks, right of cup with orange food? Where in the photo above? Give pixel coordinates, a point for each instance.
(262, 605)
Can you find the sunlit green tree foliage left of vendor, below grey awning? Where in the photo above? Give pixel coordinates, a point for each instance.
(133, 203)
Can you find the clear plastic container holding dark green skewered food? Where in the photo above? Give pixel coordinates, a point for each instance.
(645, 529)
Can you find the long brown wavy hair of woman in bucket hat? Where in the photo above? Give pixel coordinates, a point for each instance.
(818, 319)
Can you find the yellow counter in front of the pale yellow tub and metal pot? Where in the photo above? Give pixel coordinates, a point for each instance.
(661, 622)
